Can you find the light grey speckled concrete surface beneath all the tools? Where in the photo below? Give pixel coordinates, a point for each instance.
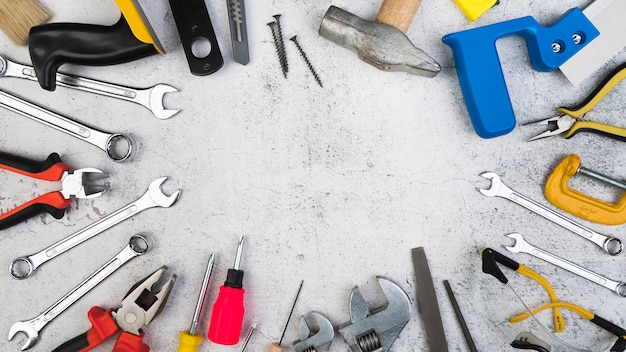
(332, 185)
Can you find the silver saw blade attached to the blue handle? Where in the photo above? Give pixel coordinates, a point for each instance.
(608, 17)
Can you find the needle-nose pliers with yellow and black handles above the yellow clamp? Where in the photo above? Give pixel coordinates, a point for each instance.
(569, 124)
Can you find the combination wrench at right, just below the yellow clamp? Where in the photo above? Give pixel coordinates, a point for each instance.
(611, 245)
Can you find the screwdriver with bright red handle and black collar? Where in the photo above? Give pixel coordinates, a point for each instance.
(228, 309)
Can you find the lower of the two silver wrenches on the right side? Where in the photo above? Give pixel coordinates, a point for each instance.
(521, 246)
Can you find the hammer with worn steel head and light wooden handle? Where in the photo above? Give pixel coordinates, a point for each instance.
(383, 43)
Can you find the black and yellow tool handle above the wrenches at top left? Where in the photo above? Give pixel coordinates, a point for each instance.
(54, 44)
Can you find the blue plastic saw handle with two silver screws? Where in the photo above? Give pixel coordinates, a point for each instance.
(479, 69)
